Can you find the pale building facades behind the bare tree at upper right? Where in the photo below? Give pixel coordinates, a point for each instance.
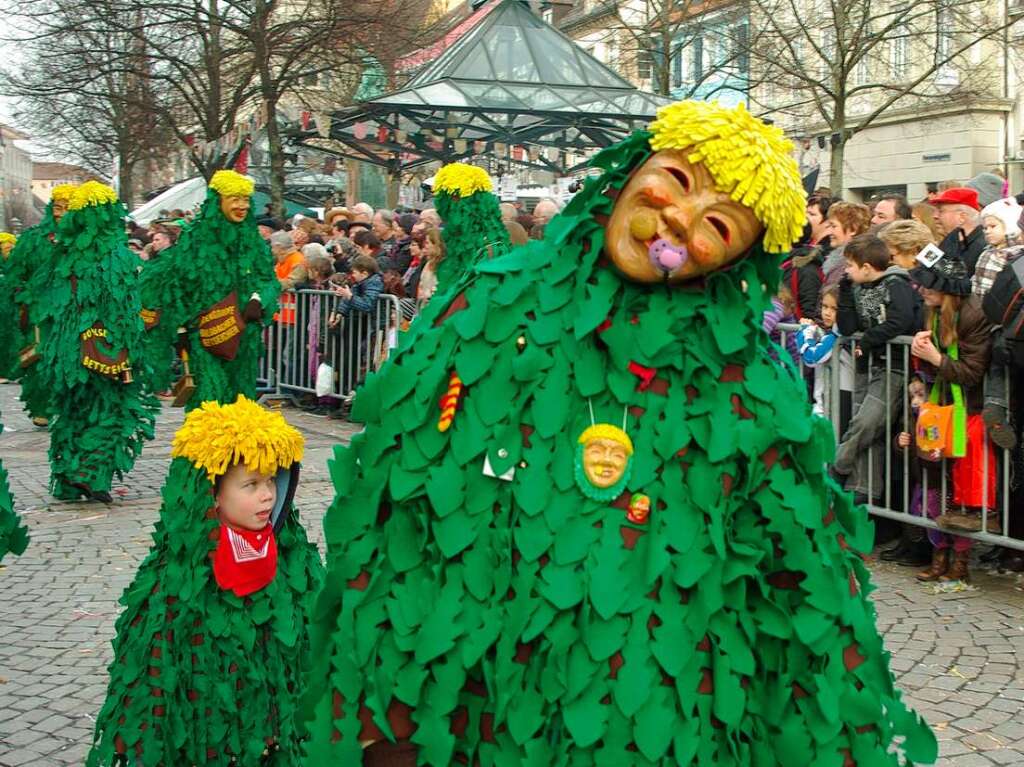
(966, 117)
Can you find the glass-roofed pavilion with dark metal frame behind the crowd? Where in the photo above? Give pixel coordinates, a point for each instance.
(513, 80)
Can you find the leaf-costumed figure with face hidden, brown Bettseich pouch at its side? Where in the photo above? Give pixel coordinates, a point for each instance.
(93, 352)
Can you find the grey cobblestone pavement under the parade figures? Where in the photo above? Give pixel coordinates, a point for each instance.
(958, 657)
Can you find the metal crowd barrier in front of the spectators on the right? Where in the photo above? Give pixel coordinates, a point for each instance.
(892, 500)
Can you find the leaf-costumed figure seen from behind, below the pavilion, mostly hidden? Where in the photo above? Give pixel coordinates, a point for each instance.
(474, 229)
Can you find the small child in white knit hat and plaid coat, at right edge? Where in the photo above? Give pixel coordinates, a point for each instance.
(1003, 235)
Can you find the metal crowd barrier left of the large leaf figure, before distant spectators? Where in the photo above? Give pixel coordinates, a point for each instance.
(353, 346)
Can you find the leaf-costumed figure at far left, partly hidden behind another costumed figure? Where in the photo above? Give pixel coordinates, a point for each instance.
(29, 274)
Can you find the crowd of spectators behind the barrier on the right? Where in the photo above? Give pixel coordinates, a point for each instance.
(888, 297)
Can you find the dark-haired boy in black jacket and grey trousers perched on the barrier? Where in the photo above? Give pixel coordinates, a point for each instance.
(877, 300)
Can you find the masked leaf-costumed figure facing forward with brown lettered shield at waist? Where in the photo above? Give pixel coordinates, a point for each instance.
(218, 283)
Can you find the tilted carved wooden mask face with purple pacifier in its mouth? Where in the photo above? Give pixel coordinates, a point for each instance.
(670, 225)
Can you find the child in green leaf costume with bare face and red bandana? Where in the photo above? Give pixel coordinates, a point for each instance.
(212, 643)
